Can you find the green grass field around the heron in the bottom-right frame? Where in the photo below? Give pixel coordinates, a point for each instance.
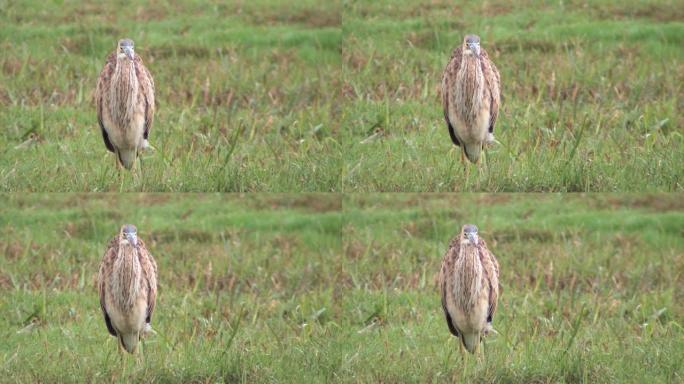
(592, 287)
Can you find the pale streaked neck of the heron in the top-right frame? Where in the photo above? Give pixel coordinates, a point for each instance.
(471, 81)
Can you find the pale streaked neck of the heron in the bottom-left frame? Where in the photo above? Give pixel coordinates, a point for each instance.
(127, 272)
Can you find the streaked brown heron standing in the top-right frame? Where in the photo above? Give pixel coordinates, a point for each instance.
(471, 97)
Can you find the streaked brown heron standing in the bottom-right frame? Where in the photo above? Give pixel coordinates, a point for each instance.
(469, 284)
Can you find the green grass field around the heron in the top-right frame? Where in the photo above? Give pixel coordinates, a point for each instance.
(593, 93)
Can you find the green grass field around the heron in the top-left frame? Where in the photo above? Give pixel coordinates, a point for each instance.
(246, 95)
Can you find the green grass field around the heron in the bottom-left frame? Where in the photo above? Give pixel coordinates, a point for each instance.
(240, 277)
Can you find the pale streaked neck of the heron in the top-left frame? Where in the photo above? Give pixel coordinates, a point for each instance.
(124, 91)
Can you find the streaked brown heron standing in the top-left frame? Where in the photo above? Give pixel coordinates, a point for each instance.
(125, 102)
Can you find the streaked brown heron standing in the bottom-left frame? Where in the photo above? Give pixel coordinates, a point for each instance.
(127, 284)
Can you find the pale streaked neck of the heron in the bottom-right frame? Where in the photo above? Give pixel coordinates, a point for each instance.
(468, 270)
